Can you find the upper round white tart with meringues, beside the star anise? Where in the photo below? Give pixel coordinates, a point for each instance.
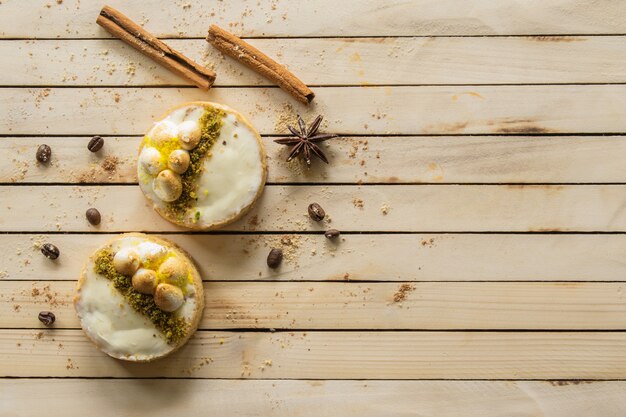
(202, 165)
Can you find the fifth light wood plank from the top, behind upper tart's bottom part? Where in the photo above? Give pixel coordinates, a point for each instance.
(401, 208)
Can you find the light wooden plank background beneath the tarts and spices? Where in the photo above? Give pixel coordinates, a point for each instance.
(479, 185)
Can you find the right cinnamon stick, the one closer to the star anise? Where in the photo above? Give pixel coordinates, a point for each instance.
(250, 56)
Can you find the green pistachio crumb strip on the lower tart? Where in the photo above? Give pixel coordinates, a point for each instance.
(173, 328)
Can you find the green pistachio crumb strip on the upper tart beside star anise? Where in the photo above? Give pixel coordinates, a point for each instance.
(211, 124)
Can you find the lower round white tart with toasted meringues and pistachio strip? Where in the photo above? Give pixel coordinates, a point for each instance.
(139, 297)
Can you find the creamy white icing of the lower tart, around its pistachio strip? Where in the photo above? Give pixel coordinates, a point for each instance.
(113, 324)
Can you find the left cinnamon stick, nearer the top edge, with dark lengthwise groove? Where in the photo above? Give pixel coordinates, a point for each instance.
(130, 32)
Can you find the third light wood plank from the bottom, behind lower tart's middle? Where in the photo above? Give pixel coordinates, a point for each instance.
(414, 306)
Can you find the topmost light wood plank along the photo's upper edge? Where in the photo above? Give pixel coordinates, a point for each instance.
(75, 18)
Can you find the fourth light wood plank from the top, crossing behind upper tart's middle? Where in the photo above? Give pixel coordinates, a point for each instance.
(466, 159)
